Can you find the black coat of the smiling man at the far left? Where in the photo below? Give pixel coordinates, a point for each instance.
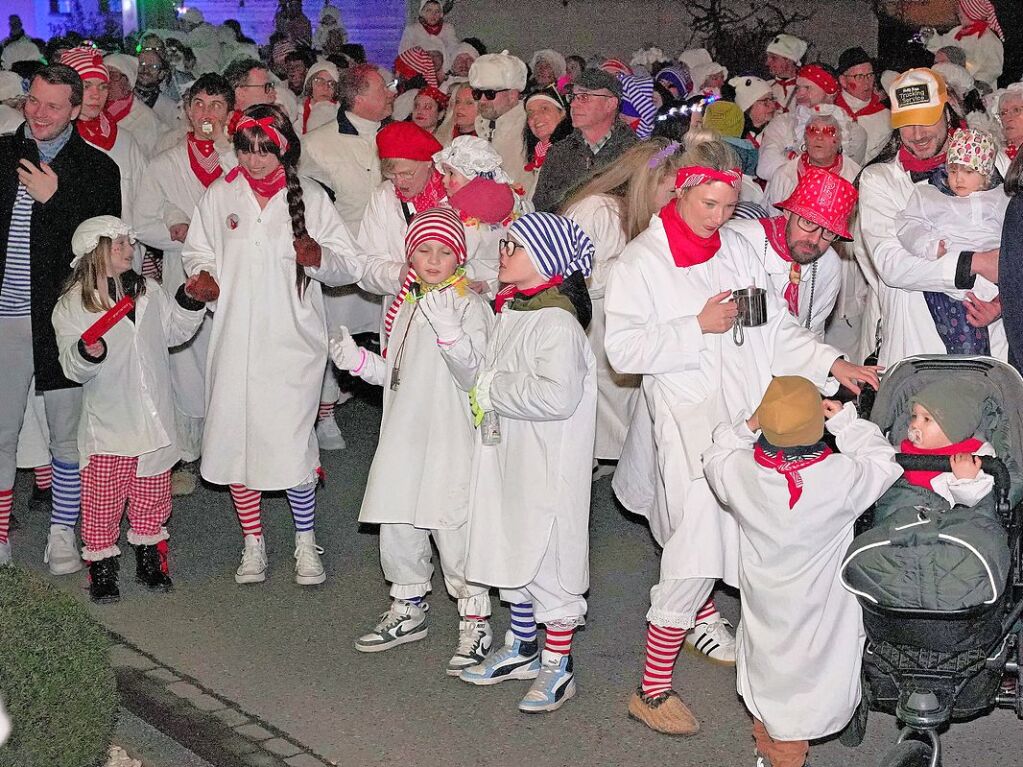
(90, 185)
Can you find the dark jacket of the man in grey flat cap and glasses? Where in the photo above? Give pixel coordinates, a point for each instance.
(571, 162)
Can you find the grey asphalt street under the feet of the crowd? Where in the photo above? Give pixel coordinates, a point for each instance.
(286, 654)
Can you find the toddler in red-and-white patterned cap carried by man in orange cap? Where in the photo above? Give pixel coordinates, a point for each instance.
(962, 208)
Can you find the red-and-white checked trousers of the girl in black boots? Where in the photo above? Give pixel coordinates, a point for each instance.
(108, 483)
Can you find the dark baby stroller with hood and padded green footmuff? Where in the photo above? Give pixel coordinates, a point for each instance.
(949, 663)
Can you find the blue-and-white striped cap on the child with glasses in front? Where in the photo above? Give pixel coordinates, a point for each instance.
(556, 245)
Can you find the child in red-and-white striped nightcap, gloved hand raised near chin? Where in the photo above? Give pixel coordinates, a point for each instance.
(419, 482)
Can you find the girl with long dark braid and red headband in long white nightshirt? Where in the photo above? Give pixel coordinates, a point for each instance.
(269, 240)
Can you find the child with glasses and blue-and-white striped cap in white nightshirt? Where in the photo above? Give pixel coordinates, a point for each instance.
(536, 395)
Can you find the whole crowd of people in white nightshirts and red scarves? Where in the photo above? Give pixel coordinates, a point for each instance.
(203, 242)
